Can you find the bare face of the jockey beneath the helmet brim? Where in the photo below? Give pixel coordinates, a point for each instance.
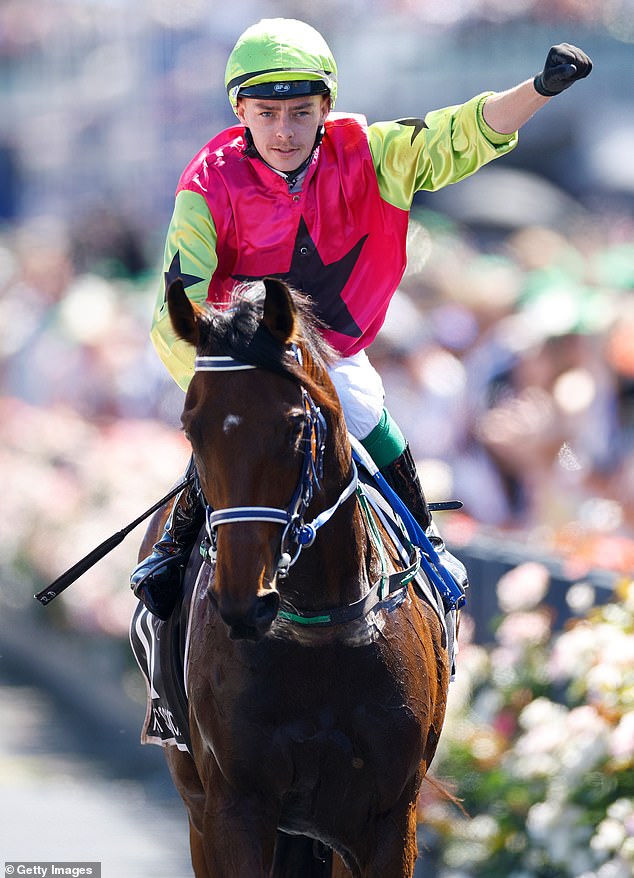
(284, 131)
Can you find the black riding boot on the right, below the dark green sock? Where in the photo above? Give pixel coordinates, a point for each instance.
(402, 477)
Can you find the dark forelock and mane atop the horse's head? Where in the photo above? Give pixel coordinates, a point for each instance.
(238, 332)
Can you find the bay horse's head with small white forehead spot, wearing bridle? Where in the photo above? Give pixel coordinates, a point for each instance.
(252, 415)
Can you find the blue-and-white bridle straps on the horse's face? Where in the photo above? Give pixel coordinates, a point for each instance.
(297, 533)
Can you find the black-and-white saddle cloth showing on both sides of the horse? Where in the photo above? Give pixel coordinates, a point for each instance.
(161, 648)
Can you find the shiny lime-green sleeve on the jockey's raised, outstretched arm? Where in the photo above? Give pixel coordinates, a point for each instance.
(448, 145)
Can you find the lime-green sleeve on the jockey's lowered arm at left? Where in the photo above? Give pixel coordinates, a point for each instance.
(190, 251)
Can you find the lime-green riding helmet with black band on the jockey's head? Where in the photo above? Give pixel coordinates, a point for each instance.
(278, 59)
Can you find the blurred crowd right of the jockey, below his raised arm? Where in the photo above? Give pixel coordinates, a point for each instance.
(511, 369)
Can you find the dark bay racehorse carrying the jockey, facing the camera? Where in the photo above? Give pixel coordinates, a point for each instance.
(314, 711)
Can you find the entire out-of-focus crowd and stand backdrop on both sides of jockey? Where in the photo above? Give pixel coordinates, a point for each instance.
(507, 355)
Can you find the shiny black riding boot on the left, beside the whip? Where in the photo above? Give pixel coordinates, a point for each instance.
(158, 579)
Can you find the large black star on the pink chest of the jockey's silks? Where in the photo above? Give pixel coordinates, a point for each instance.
(323, 283)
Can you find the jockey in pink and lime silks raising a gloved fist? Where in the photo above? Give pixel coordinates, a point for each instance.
(321, 200)
